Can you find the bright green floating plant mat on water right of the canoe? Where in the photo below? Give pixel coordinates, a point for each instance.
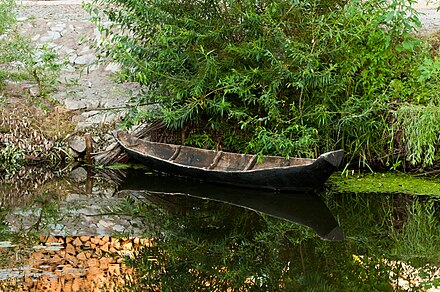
(398, 183)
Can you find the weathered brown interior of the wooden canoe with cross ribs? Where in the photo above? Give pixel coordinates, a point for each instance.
(209, 159)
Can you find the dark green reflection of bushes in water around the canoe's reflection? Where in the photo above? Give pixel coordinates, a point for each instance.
(216, 247)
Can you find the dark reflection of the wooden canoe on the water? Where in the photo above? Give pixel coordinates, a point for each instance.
(303, 208)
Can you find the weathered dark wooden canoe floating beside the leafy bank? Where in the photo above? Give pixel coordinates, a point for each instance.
(276, 173)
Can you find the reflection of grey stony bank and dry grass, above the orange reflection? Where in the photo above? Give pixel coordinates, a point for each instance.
(45, 203)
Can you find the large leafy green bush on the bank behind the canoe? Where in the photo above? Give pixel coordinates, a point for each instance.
(280, 77)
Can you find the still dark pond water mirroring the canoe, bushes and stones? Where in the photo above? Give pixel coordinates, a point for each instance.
(119, 231)
